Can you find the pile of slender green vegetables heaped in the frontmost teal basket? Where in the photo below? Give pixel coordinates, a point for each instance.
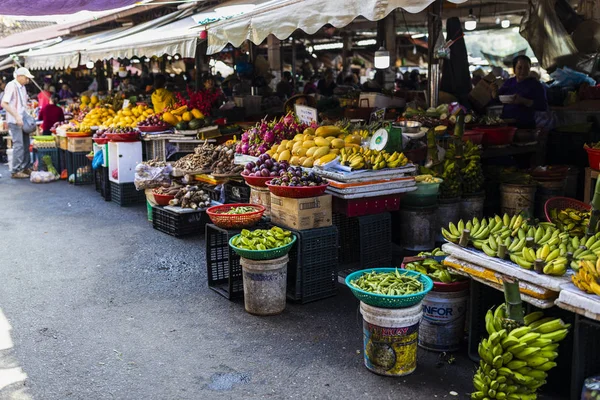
(388, 283)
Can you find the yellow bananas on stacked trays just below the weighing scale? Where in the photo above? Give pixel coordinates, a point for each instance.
(359, 158)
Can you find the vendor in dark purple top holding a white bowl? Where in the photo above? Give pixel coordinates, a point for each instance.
(528, 94)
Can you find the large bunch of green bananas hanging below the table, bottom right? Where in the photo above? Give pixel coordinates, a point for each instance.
(515, 359)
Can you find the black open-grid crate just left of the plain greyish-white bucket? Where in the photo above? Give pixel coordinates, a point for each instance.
(223, 267)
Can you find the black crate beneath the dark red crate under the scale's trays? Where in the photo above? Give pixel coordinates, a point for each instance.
(365, 242)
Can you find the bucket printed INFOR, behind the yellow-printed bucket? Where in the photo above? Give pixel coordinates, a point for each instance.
(444, 313)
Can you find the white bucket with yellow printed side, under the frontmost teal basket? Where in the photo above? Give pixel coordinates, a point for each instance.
(390, 337)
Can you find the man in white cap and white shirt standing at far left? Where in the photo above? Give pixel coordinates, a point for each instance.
(14, 102)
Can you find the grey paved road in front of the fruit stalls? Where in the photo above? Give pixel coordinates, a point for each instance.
(95, 304)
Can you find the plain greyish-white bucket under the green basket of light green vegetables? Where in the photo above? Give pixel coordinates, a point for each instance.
(264, 285)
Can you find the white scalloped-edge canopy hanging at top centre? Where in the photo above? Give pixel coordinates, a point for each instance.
(282, 17)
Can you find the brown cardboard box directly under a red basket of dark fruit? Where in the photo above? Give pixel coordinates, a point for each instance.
(299, 214)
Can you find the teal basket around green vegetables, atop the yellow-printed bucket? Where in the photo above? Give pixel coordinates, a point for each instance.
(383, 300)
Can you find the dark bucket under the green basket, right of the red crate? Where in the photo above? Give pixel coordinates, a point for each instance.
(418, 227)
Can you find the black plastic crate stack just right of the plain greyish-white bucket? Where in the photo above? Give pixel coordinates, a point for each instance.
(312, 269)
